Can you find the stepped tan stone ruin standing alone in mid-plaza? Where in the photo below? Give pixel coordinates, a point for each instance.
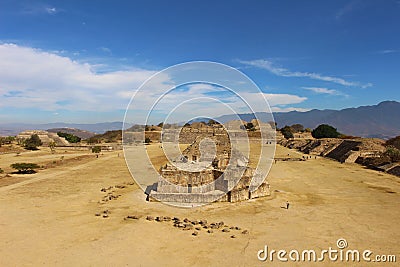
(209, 170)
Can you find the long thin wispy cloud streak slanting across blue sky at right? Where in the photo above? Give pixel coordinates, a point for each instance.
(279, 71)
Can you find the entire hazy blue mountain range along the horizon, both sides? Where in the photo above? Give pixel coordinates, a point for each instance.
(381, 121)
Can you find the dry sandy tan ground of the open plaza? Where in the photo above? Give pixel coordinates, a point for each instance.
(49, 218)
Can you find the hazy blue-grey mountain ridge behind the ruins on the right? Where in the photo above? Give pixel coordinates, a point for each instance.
(381, 121)
